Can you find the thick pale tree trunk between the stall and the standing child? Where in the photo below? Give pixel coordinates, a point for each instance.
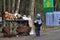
(31, 12)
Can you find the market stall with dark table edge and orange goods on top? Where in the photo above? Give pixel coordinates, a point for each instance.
(17, 26)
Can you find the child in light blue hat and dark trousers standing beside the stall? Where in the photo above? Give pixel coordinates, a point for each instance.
(38, 24)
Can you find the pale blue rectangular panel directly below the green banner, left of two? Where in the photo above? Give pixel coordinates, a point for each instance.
(49, 19)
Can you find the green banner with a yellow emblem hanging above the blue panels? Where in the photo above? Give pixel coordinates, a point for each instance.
(48, 5)
